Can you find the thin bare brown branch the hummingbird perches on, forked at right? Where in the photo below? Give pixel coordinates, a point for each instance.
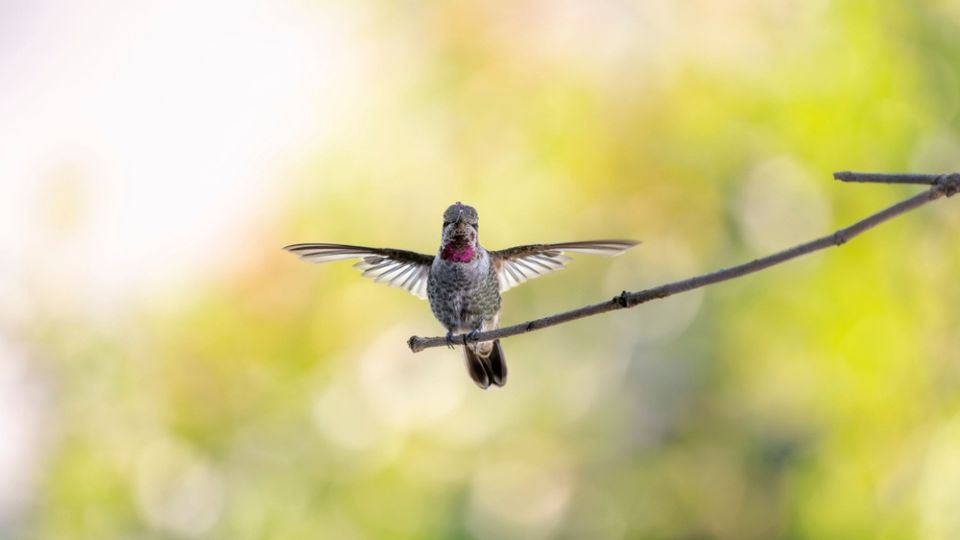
(943, 185)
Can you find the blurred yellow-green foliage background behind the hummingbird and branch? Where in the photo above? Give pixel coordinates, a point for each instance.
(267, 398)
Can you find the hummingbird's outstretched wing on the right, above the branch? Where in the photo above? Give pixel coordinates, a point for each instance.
(518, 264)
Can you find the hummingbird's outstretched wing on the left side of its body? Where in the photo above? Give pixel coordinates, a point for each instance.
(396, 267)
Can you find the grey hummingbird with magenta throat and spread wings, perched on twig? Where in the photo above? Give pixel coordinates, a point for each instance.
(463, 281)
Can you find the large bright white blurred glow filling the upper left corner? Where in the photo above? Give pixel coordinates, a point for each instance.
(138, 140)
